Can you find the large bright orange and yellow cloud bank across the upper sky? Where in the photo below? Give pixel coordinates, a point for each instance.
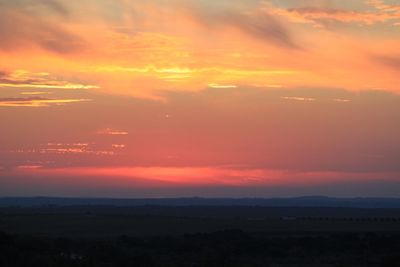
(145, 53)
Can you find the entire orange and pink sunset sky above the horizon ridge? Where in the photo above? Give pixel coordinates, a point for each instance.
(172, 98)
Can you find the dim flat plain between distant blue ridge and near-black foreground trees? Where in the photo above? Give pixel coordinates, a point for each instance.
(154, 221)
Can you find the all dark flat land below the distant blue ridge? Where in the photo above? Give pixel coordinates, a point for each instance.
(198, 236)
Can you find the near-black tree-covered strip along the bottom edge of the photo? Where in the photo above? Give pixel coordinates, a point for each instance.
(226, 248)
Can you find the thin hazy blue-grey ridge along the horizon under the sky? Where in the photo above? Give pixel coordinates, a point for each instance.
(306, 201)
